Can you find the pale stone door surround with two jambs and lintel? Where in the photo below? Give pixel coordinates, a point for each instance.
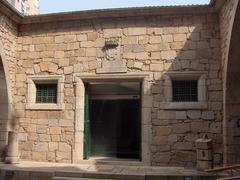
(146, 127)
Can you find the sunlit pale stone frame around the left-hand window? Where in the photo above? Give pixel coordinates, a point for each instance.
(31, 92)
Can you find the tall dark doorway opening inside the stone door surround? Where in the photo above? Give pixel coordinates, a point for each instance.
(114, 112)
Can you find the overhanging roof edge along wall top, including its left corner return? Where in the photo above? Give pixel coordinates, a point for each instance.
(18, 18)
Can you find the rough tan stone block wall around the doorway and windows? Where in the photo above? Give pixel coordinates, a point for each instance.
(157, 45)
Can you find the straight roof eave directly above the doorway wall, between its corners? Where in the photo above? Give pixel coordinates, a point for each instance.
(118, 13)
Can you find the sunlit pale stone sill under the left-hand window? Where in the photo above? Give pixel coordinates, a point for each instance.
(46, 106)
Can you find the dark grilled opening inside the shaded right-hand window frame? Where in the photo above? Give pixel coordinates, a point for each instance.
(185, 91)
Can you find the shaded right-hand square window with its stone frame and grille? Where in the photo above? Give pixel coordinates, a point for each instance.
(184, 90)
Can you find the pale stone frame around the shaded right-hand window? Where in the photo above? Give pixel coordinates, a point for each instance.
(202, 91)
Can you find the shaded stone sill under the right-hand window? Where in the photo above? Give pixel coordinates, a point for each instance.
(183, 105)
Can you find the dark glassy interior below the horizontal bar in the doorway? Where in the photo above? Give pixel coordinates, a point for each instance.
(115, 128)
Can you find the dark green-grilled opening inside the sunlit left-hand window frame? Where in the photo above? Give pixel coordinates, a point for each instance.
(46, 93)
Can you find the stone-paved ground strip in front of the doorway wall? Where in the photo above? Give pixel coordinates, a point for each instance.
(95, 170)
